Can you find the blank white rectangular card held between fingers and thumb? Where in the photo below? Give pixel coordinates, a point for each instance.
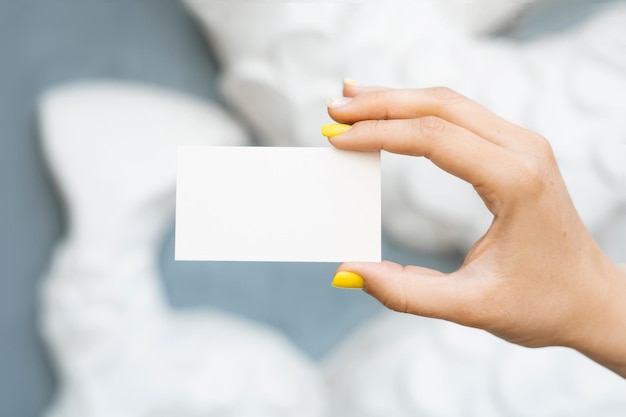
(277, 204)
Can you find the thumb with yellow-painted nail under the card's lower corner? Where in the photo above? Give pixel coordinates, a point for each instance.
(407, 289)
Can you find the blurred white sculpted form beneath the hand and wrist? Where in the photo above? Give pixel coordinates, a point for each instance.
(401, 365)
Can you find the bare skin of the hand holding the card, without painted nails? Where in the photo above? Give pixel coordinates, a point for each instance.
(536, 278)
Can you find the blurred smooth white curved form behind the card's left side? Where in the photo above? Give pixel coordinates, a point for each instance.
(118, 348)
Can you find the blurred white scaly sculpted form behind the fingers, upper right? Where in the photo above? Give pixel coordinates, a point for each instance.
(280, 59)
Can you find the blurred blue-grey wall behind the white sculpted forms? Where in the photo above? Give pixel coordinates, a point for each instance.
(44, 43)
